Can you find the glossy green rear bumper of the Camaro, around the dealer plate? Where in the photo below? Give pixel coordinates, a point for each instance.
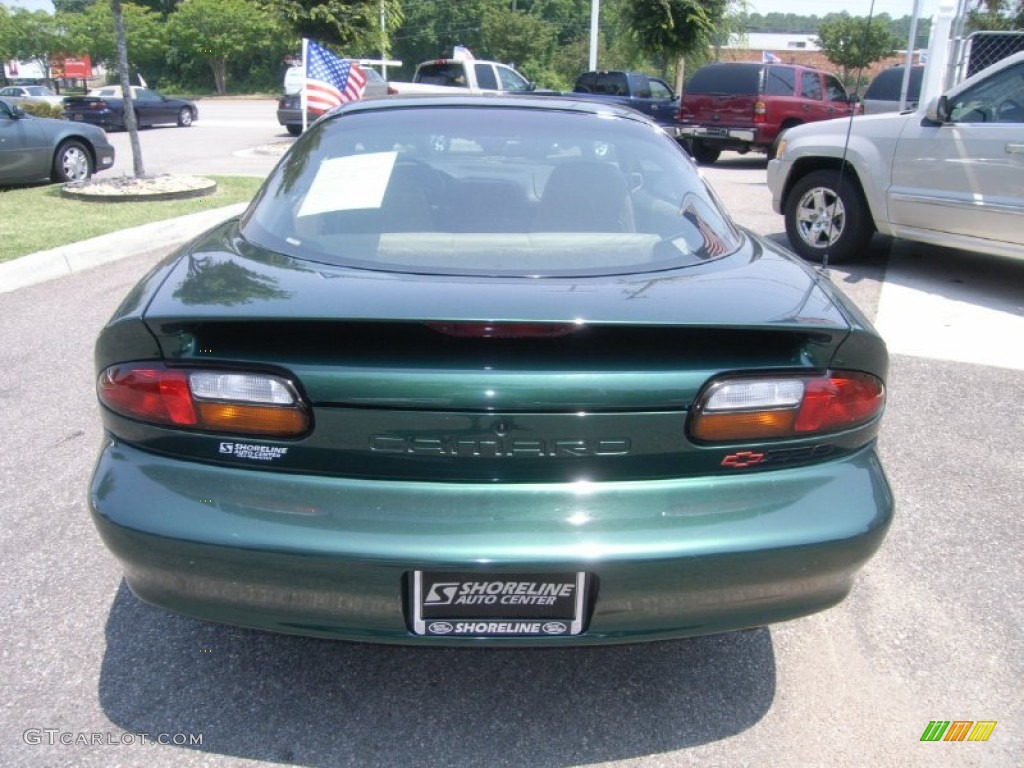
(333, 558)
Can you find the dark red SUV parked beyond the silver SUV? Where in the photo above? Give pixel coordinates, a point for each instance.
(747, 106)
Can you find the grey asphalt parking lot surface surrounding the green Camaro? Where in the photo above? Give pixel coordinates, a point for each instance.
(93, 677)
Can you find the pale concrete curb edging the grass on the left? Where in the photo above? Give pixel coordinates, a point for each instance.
(77, 258)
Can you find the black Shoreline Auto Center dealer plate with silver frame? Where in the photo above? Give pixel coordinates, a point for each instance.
(476, 606)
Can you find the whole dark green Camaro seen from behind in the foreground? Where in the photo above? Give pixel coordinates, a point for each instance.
(489, 371)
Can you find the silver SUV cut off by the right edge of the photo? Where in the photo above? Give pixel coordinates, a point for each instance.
(952, 175)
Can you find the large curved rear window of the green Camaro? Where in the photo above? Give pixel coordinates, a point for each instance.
(497, 192)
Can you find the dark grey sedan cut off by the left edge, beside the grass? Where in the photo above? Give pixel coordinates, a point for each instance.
(39, 149)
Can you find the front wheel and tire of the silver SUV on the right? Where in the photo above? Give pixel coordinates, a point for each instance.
(824, 217)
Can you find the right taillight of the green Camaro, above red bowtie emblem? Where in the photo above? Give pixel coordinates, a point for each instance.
(772, 408)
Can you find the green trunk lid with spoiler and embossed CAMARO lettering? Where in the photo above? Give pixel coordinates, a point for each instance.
(478, 379)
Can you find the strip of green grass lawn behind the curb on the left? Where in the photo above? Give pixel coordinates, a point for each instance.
(38, 219)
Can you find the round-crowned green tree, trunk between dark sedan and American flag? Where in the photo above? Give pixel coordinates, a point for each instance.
(220, 31)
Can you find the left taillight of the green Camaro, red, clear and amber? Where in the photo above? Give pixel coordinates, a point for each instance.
(250, 403)
